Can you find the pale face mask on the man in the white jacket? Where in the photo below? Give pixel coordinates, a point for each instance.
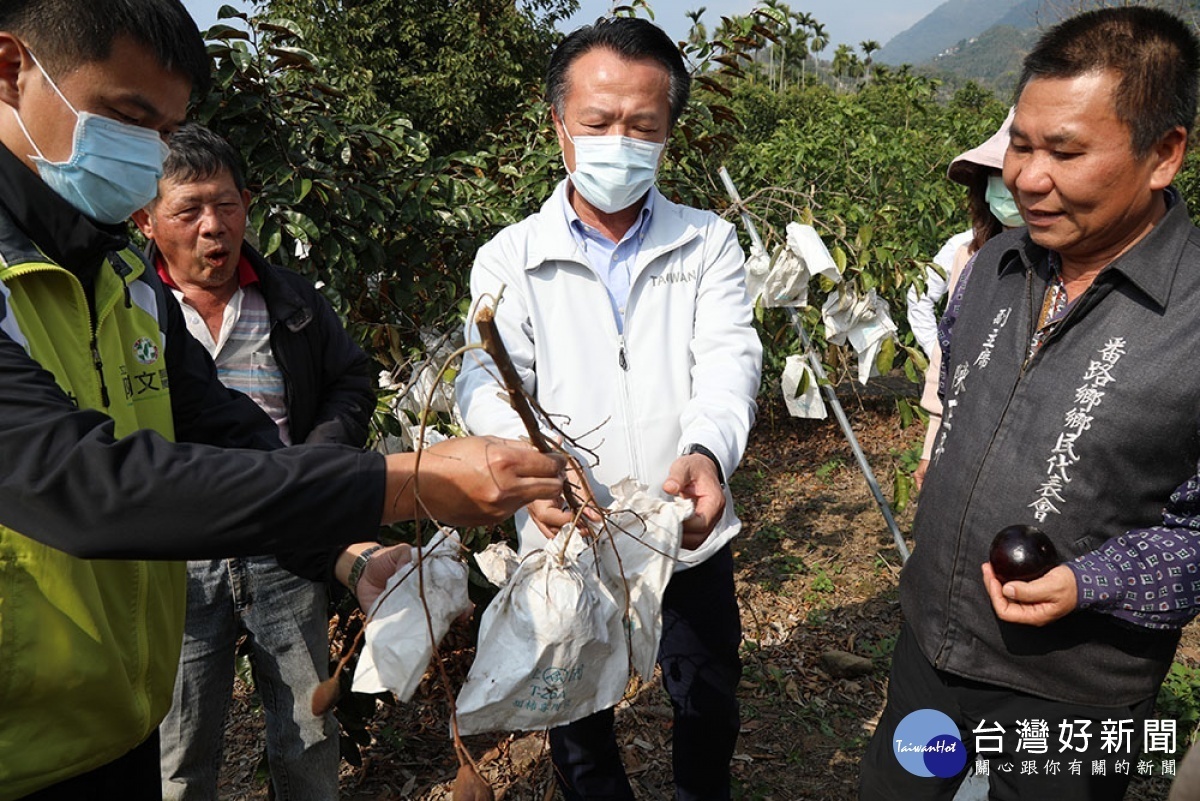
(613, 173)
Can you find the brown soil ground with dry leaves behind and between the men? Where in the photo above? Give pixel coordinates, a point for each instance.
(817, 573)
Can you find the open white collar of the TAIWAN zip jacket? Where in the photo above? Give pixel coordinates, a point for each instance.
(555, 243)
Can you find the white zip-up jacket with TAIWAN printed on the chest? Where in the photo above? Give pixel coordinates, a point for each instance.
(686, 372)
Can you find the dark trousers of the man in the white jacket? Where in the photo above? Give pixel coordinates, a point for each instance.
(701, 668)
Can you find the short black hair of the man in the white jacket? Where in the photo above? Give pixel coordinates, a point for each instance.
(633, 39)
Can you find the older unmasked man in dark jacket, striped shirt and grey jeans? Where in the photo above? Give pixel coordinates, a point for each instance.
(277, 340)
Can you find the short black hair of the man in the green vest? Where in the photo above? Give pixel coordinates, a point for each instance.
(67, 34)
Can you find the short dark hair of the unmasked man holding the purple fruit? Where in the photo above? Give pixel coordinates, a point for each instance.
(1154, 52)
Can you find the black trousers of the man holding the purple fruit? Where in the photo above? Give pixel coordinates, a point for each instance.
(977, 709)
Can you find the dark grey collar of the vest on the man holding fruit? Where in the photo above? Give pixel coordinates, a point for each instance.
(1150, 266)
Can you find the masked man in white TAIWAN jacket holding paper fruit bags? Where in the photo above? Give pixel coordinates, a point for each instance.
(628, 316)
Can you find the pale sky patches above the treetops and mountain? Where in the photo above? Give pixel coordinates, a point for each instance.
(849, 22)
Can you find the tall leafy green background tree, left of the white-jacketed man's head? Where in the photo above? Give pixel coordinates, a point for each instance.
(457, 69)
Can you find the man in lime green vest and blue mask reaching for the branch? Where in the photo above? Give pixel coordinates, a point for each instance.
(121, 451)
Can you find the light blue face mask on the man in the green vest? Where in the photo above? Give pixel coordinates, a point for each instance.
(113, 168)
